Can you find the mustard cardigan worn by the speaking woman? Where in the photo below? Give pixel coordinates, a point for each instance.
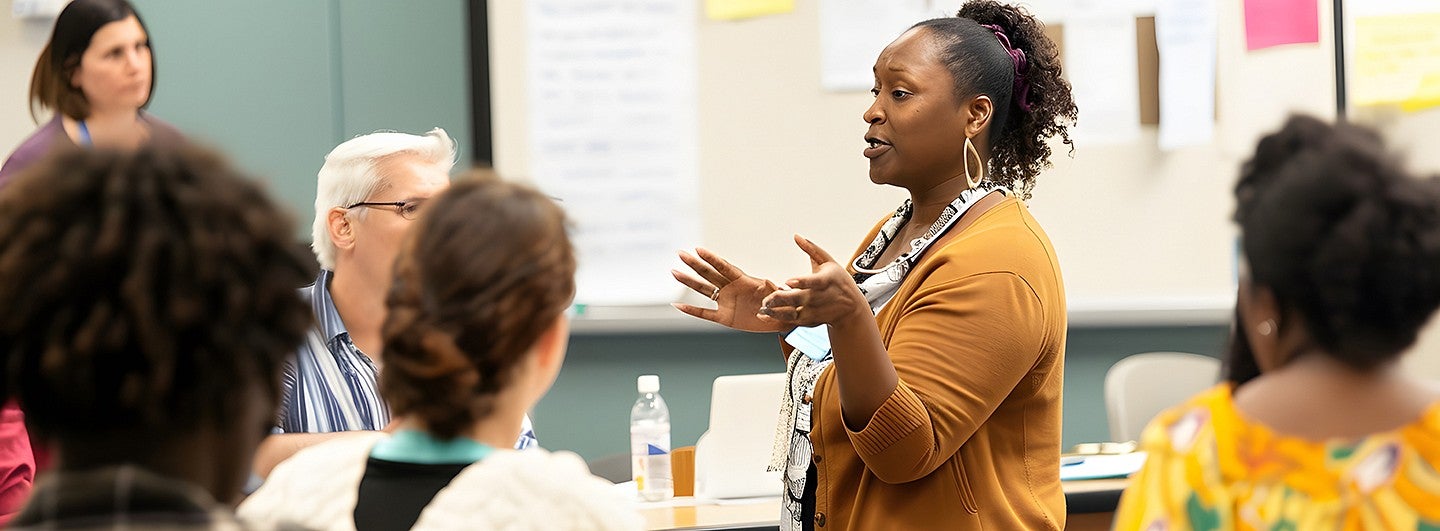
(971, 437)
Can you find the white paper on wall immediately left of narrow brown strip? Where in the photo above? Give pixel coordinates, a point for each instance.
(1104, 70)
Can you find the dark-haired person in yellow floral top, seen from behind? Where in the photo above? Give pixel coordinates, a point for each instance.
(1317, 427)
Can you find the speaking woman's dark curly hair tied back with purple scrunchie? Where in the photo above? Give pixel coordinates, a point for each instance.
(981, 65)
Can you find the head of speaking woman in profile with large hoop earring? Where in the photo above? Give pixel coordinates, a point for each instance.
(989, 76)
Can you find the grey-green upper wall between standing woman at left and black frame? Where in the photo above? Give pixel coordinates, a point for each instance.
(277, 84)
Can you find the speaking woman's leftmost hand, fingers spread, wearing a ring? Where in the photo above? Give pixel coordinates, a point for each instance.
(737, 294)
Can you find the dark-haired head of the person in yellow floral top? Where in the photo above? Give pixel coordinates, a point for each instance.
(1343, 248)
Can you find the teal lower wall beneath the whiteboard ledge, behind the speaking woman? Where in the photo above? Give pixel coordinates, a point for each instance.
(588, 409)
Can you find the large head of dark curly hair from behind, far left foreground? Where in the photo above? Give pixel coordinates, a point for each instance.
(150, 301)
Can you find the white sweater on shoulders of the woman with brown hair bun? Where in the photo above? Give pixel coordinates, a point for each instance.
(509, 490)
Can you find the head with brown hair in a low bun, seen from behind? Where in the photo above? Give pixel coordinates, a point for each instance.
(476, 319)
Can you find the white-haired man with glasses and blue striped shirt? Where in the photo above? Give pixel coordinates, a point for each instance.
(371, 192)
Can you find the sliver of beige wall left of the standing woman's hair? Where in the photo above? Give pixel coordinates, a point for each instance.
(21, 42)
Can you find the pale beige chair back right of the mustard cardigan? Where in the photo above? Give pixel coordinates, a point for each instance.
(1141, 386)
